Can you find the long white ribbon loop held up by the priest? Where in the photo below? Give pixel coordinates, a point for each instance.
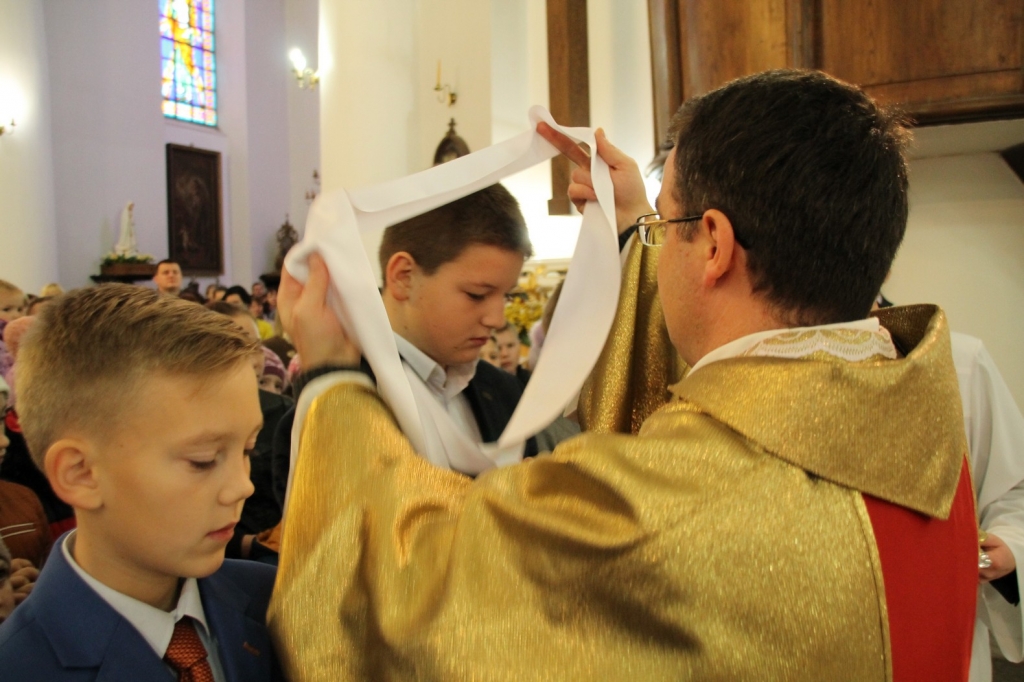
(337, 224)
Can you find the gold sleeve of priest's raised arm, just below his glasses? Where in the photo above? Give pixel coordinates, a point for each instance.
(633, 374)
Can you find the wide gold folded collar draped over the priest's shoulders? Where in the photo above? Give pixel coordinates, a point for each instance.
(829, 417)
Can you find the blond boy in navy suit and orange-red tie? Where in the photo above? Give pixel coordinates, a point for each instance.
(152, 452)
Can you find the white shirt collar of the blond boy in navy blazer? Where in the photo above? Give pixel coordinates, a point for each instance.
(155, 625)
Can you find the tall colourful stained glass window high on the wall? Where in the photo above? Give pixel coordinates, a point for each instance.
(190, 71)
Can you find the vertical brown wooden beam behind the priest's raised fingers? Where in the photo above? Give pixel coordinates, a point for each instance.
(569, 86)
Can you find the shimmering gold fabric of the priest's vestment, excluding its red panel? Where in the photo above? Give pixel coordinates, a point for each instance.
(730, 540)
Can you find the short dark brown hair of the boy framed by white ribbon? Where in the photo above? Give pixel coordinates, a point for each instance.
(490, 217)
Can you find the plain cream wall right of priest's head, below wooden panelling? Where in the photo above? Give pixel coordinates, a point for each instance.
(965, 250)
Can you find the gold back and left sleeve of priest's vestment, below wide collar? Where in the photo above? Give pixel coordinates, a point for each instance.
(667, 557)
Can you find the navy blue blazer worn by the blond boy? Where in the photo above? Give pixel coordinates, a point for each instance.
(66, 631)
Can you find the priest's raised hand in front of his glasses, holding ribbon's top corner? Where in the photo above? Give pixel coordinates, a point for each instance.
(631, 195)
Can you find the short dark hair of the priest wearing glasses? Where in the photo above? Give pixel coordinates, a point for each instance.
(813, 175)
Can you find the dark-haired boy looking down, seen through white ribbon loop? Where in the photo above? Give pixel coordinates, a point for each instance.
(446, 277)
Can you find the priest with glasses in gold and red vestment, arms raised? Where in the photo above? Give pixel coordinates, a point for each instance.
(774, 522)
